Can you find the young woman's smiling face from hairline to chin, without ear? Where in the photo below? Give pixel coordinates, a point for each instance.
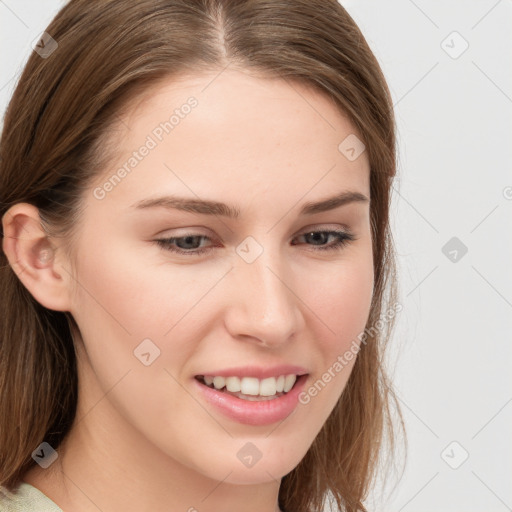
(256, 295)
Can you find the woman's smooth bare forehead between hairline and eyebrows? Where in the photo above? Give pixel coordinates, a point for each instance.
(235, 133)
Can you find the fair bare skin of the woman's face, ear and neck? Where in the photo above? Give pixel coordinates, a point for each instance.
(143, 439)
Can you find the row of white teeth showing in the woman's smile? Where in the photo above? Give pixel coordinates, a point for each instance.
(251, 385)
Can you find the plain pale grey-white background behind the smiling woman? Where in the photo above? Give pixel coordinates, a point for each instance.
(452, 349)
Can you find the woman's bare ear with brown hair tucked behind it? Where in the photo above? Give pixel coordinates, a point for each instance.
(36, 261)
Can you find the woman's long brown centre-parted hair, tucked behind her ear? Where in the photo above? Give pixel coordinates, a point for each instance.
(53, 146)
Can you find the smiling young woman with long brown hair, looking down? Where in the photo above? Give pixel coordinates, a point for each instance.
(244, 371)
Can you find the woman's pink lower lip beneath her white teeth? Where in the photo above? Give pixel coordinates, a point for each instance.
(263, 412)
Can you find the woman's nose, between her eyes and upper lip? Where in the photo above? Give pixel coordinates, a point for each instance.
(262, 304)
